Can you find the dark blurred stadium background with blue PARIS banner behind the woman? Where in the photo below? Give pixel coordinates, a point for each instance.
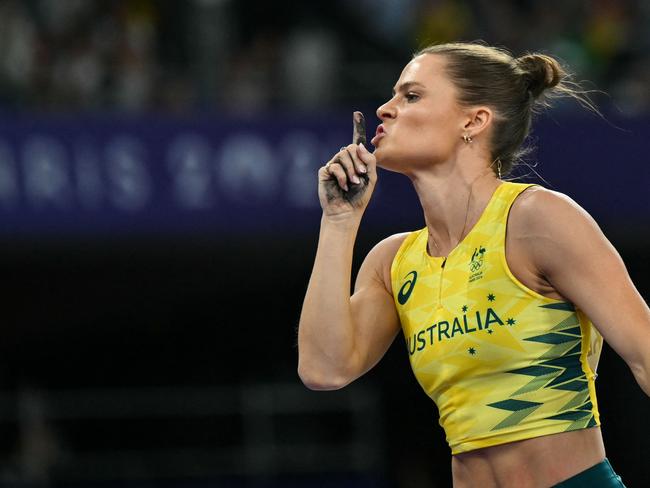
(159, 218)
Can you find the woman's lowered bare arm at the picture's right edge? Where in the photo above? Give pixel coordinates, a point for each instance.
(568, 248)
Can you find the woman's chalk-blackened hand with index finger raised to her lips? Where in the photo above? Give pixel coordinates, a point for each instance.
(346, 182)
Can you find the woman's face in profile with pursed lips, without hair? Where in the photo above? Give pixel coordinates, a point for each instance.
(422, 124)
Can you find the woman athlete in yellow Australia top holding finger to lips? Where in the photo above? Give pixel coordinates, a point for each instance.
(501, 306)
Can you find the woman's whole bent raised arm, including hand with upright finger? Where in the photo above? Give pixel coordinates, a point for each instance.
(341, 337)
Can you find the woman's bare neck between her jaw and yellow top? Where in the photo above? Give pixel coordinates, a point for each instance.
(453, 199)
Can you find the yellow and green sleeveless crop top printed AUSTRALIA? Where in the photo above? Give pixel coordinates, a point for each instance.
(502, 362)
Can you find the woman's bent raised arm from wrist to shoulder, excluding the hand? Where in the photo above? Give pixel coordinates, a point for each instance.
(342, 337)
